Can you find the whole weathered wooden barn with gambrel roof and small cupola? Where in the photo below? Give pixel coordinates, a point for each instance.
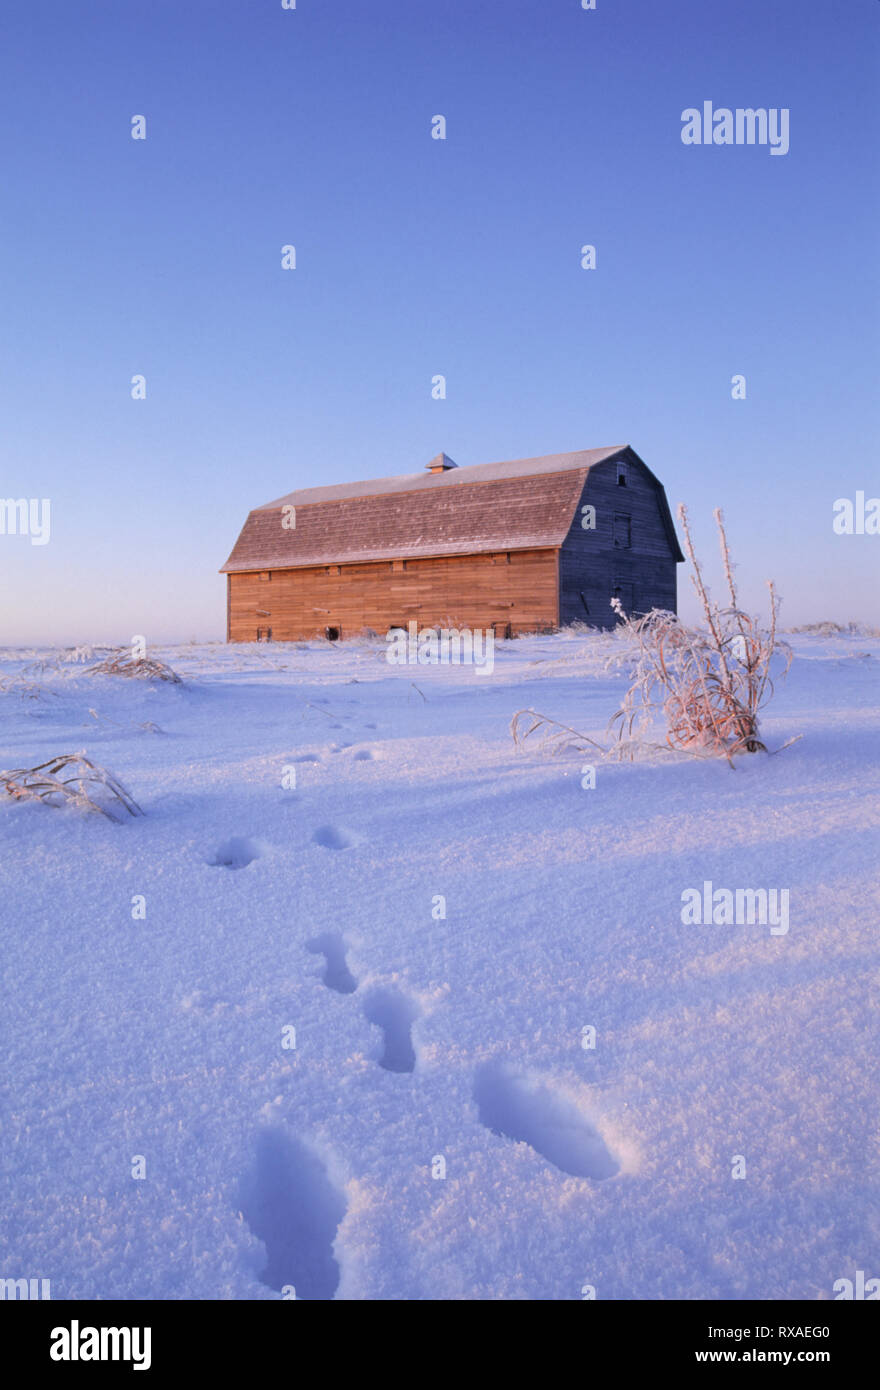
(518, 547)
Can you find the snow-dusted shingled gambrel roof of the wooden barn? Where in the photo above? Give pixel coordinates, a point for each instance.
(519, 505)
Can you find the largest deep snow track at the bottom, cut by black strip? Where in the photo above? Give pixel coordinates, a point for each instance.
(290, 1202)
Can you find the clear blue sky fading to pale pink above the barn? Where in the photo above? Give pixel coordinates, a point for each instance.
(312, 127)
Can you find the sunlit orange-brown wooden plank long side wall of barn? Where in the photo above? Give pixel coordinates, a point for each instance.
(516, 589)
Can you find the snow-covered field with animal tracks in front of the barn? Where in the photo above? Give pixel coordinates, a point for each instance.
(427, 1042)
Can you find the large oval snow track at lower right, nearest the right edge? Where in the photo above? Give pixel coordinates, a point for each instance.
(530, 1111)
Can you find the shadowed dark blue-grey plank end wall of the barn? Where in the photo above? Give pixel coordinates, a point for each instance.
(593, 564)
